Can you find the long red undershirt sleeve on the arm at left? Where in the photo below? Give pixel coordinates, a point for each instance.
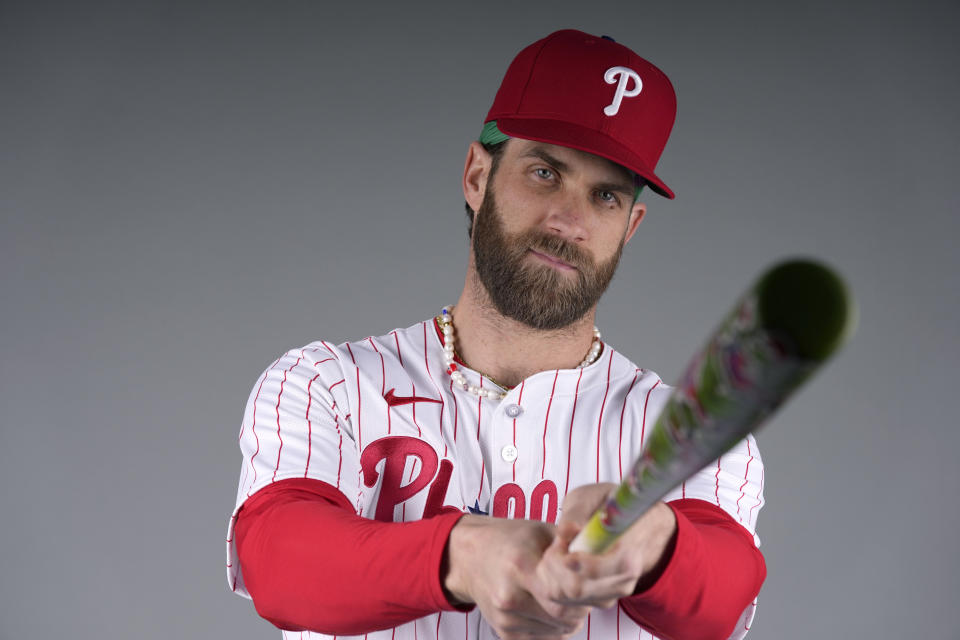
(311, 563)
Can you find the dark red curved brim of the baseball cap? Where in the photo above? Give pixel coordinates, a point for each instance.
(578, 137)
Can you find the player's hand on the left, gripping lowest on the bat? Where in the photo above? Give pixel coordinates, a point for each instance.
(492, 562)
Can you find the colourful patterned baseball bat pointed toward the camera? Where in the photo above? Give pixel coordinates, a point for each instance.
(780, 331)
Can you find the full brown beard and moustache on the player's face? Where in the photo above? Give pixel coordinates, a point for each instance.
(537, 295)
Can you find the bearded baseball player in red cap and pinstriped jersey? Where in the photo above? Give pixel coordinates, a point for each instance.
(426, 483)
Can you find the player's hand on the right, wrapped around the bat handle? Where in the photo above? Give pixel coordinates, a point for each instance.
(632, 562)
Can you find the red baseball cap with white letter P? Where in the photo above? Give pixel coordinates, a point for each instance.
(589, 93)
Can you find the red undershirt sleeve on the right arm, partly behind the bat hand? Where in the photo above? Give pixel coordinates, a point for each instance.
(714, 573)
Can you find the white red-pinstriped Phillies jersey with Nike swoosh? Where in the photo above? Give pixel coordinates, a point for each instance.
(382, 421)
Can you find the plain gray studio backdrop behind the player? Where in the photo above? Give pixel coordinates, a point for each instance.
(187, 191)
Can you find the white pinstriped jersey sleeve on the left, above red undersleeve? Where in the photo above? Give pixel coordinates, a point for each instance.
(296, 425)
